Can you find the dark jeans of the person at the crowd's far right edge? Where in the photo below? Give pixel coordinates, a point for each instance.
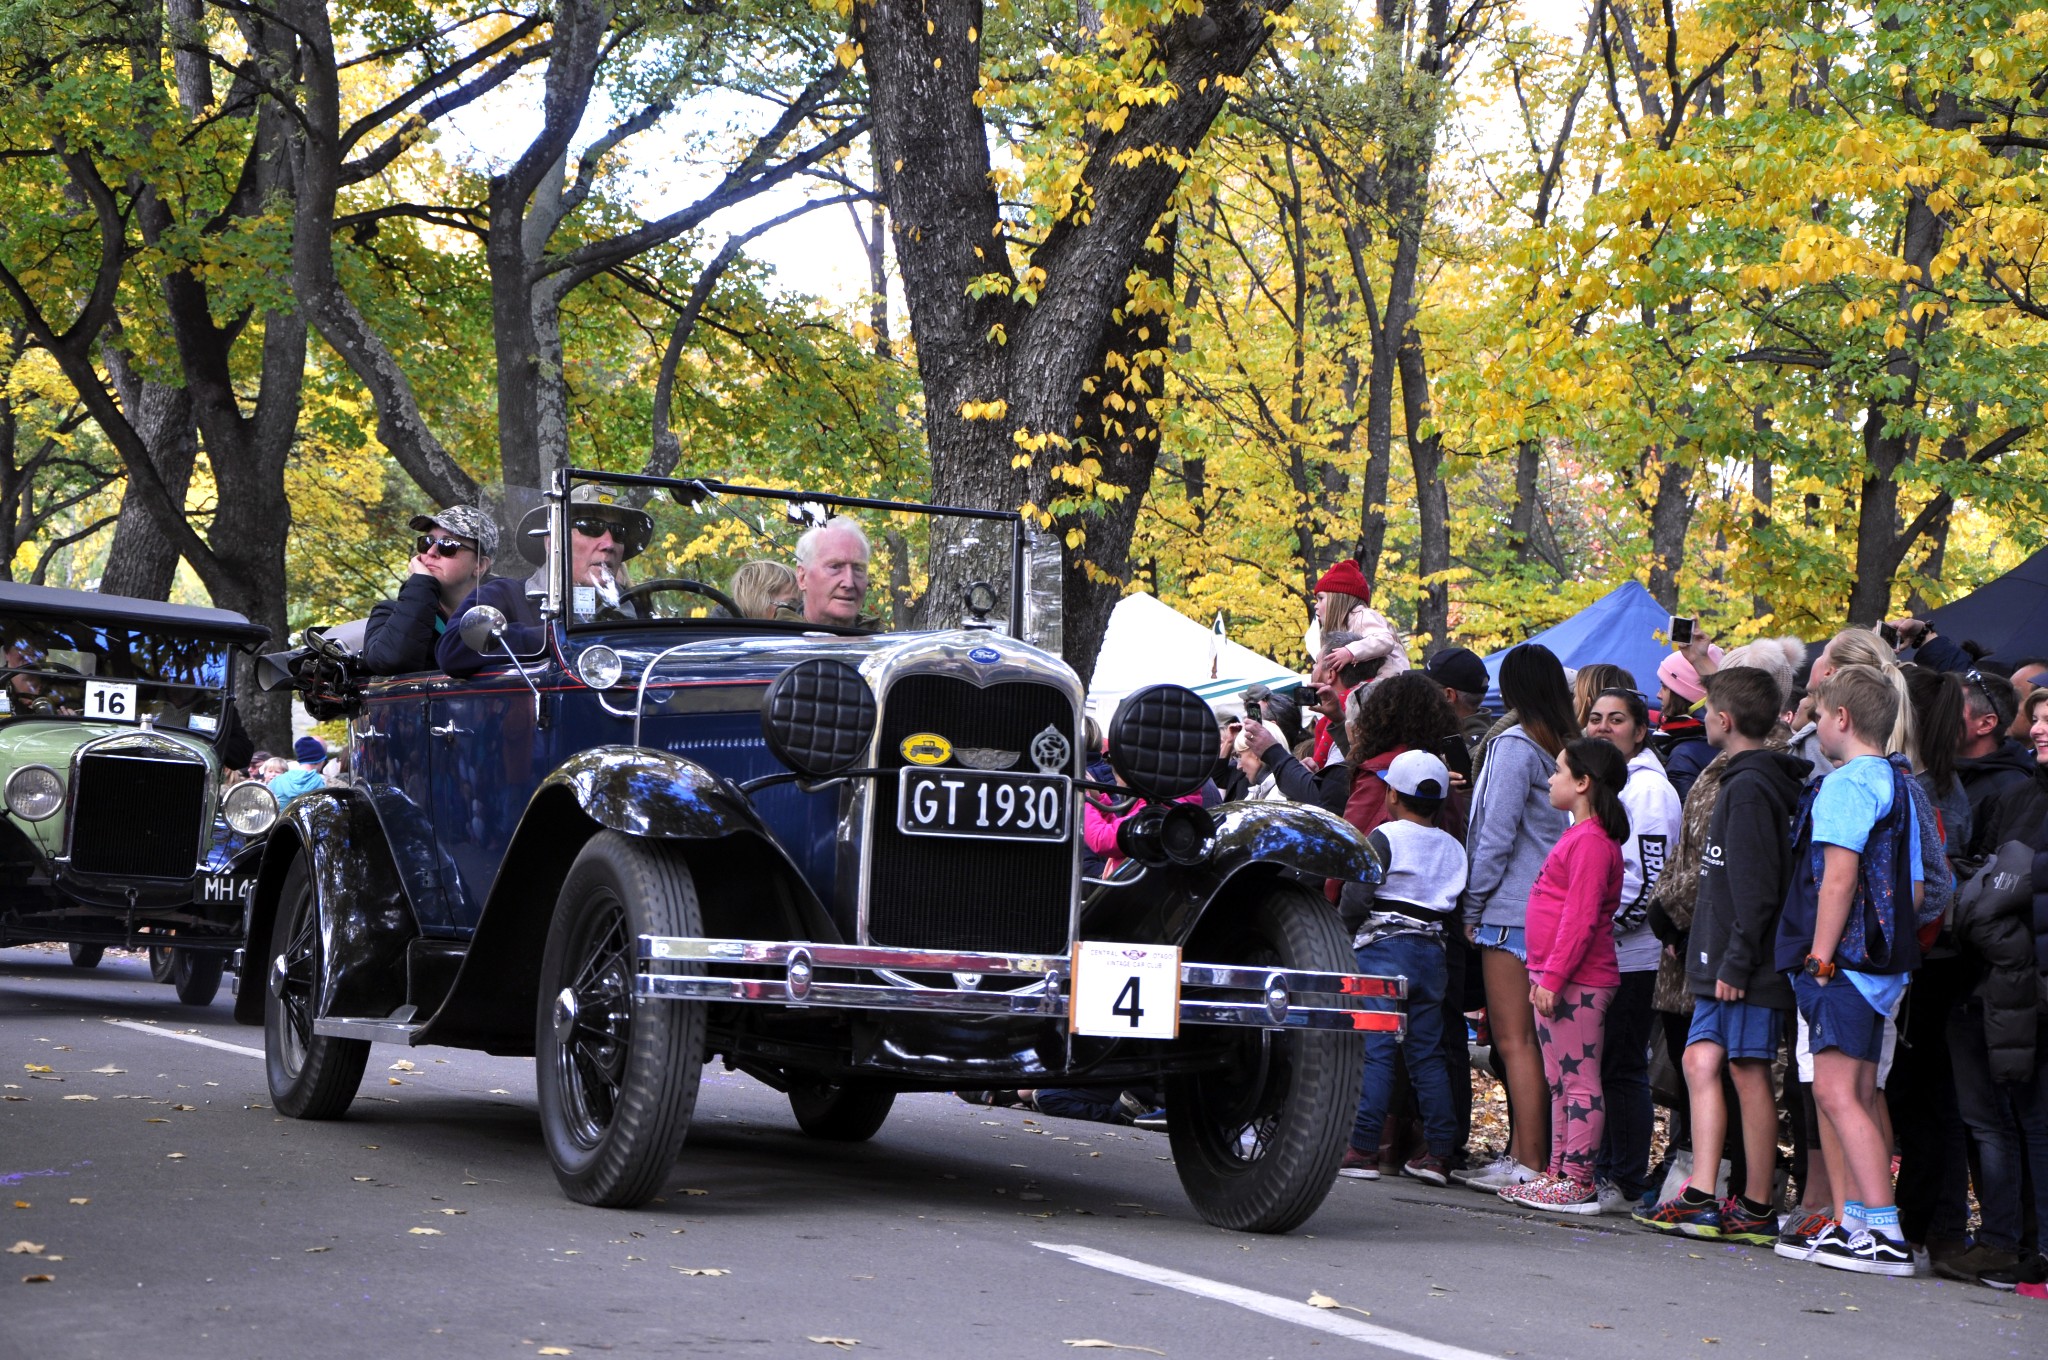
(2010, 1128)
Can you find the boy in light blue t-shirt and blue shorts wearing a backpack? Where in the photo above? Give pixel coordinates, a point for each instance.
(1848, 939)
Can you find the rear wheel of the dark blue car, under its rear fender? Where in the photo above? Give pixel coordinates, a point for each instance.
(312, 1076)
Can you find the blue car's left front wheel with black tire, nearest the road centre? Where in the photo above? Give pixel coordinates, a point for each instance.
(617, 1076)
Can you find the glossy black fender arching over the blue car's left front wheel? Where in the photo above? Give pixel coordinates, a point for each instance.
(749, 888)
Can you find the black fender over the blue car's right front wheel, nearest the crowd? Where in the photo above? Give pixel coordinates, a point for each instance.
(1252, 841)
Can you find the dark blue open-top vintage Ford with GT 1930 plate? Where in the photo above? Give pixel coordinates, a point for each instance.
(665, 822)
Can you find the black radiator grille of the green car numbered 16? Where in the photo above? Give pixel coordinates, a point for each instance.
(138, 816)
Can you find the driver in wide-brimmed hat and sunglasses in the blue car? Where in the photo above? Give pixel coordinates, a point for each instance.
(605, 534)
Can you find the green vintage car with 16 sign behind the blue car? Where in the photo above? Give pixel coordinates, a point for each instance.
(122, 831)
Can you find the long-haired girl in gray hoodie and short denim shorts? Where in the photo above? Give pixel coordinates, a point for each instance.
(1512, 831)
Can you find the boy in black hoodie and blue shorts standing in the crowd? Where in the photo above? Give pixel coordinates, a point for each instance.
(1740, 998)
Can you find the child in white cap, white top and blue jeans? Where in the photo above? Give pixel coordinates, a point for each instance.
(1400, 931)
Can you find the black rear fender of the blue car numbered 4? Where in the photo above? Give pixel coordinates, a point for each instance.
(366, 921)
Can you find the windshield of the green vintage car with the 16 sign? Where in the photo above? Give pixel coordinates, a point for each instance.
(112, 673)
